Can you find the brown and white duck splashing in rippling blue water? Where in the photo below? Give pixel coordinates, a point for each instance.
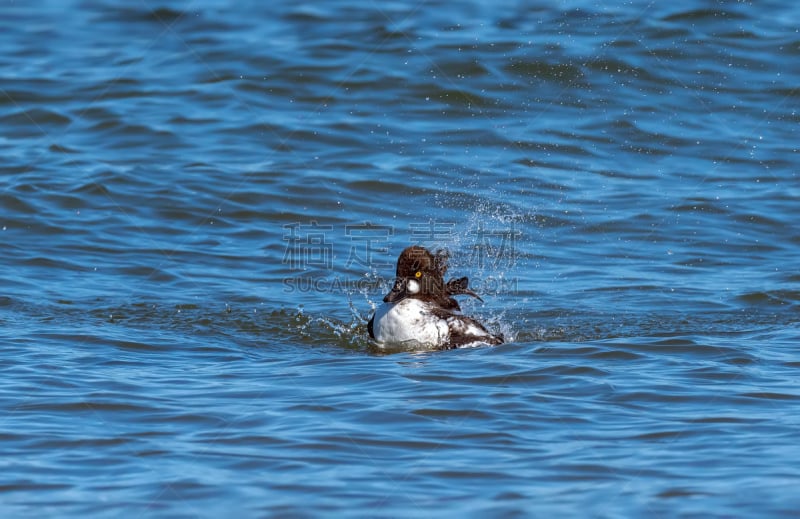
(420, 312)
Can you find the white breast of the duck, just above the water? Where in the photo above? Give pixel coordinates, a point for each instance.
(409, 320)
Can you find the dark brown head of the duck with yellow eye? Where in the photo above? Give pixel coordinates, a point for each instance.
(420, 274)
